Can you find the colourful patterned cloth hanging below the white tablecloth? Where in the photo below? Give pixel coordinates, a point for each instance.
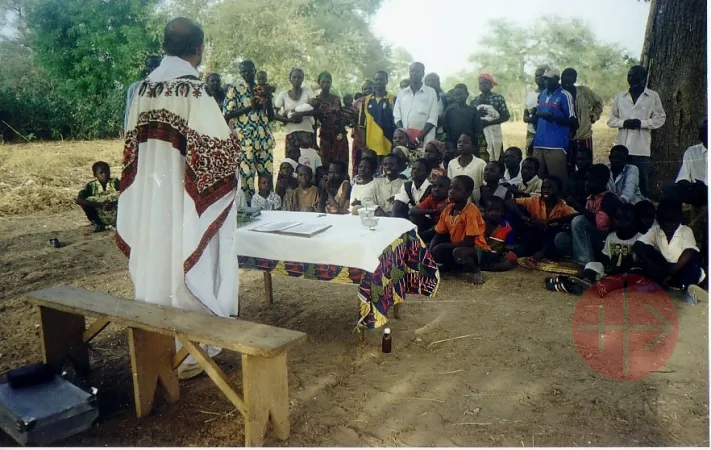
(406, 267)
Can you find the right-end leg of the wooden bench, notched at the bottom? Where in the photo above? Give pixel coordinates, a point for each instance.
(266, 394)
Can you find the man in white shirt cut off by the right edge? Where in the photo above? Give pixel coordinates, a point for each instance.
(691, 185)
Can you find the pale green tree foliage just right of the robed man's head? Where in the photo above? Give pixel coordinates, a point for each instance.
(316, 35)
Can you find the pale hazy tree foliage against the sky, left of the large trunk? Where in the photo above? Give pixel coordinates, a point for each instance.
(512, 52)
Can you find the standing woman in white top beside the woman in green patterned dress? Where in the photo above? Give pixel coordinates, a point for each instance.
(297, 114)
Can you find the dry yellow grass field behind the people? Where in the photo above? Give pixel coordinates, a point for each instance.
(46, 176)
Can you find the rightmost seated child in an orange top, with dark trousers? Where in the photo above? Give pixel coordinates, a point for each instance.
(538, 220)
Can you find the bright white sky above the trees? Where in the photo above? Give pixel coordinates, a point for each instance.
(443, 33)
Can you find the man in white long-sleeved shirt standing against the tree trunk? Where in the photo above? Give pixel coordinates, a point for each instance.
(635, 113)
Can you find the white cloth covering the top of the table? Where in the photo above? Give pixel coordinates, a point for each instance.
(347, 243)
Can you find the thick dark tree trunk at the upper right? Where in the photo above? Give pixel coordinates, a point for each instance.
(675, 56)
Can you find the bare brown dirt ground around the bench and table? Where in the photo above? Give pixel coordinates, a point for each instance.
(516, 381)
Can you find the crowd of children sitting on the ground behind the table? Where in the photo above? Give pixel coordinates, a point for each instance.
(478, 216)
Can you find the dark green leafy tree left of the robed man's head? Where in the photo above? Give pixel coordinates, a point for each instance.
(92, 46)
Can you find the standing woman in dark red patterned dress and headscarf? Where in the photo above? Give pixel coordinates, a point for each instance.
(334, 143)
